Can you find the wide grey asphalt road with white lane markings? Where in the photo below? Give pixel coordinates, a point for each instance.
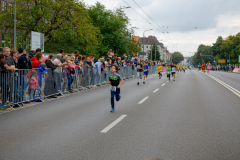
(192, 118)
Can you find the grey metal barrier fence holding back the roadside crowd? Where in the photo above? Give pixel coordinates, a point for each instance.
(21, 86)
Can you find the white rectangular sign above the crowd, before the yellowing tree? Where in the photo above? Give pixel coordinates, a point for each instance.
(37, 40)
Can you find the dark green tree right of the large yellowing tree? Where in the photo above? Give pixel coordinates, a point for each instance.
(113, 27)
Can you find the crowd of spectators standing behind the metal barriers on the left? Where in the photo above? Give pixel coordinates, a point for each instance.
(30, 76)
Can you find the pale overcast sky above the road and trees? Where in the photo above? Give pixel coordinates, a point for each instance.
(186, 23)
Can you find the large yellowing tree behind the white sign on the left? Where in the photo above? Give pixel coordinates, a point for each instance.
(66, 25)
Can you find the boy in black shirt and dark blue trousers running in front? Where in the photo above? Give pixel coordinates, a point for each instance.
(116, 81)
